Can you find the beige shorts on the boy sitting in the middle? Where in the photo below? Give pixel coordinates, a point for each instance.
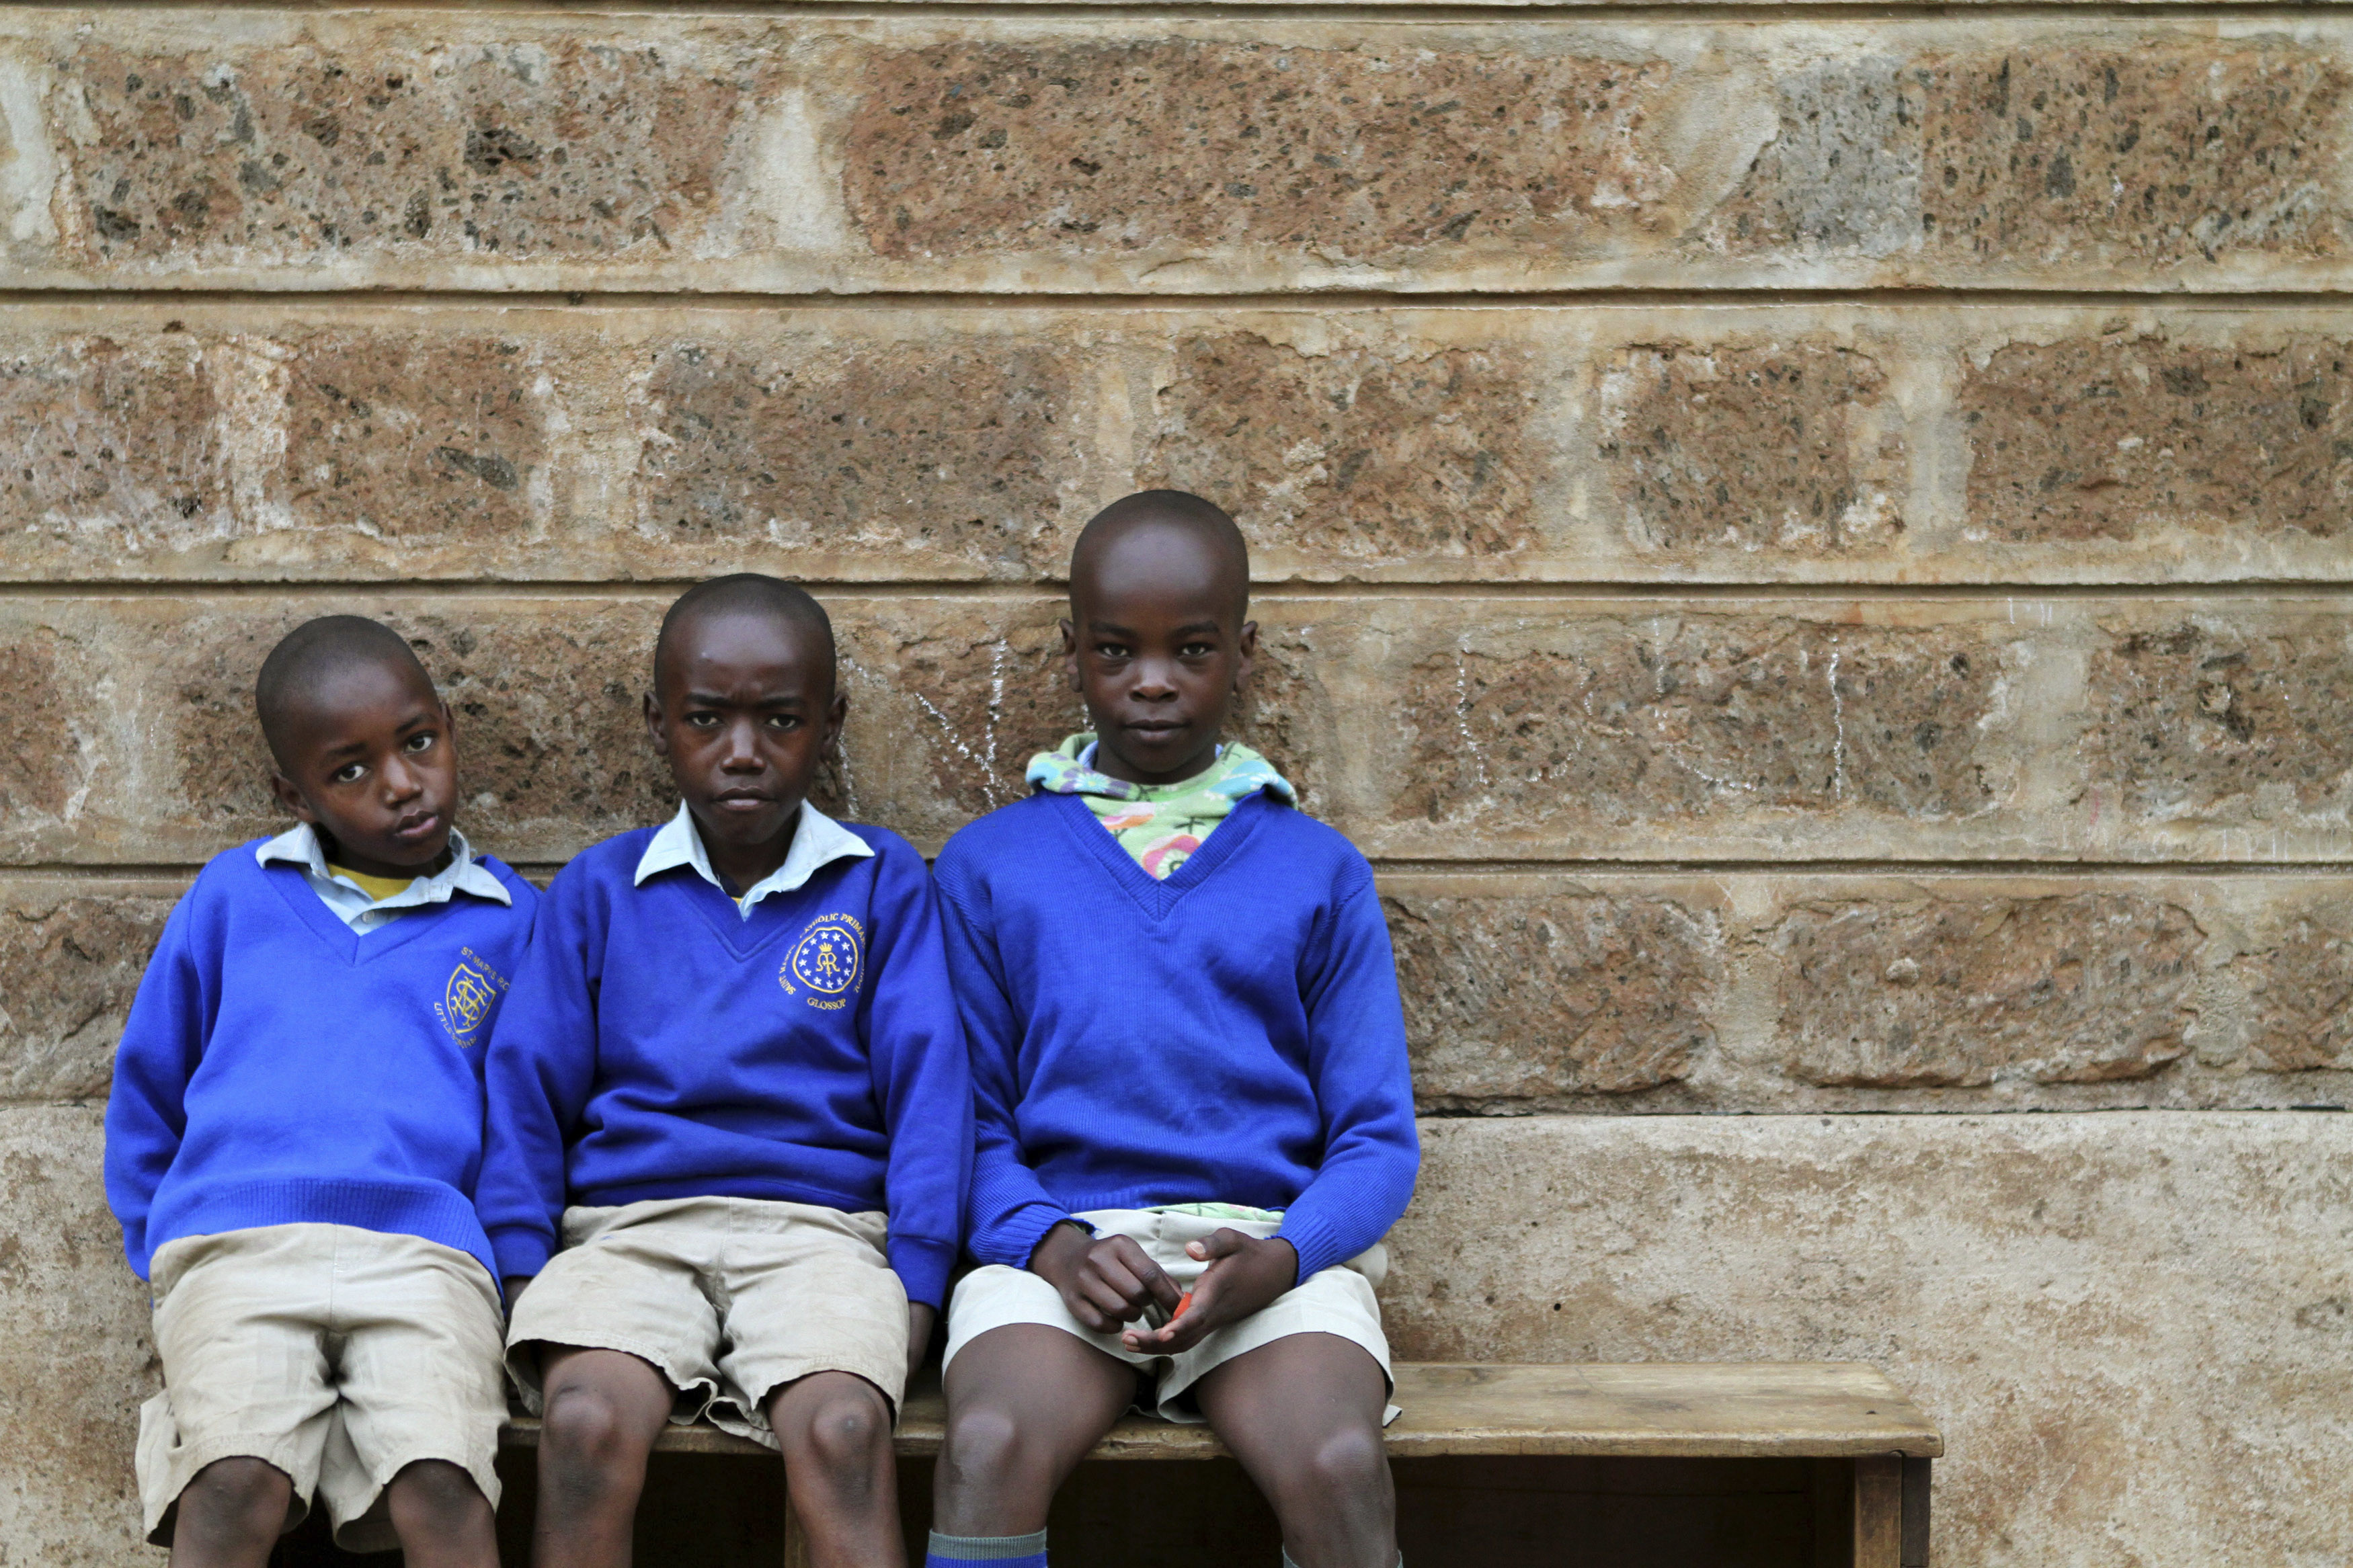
(728, 1299)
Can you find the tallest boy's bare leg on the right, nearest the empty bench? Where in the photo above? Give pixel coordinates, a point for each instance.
(1305, 1419)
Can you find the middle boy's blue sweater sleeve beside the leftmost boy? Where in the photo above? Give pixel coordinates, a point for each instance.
(538, 1078)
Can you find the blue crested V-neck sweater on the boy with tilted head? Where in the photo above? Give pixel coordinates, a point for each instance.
(281, 1068)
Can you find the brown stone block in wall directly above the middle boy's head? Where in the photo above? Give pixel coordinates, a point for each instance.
(926, 450)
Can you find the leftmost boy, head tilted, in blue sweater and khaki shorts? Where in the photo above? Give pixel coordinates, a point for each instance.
(295, 1132)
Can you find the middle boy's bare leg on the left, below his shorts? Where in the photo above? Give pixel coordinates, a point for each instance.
(606, 1409)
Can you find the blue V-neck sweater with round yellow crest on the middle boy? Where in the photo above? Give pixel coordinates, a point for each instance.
(662, 1045)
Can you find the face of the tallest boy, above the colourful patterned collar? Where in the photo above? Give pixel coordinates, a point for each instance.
(1159, 652)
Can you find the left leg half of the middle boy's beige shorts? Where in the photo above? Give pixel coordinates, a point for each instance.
(629, 1280)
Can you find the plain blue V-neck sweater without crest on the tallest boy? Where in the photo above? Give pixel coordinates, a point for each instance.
(1229, 1036)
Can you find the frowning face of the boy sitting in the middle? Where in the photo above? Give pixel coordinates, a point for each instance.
(745, 711)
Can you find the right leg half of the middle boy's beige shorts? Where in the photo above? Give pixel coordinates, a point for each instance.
(806, 1292)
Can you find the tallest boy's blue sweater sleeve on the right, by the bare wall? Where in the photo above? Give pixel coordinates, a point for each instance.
(1364, 1085)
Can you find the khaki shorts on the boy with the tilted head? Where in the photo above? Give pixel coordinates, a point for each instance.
(331, 1353)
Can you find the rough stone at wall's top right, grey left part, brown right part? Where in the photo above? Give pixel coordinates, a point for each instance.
(2055, 154)
